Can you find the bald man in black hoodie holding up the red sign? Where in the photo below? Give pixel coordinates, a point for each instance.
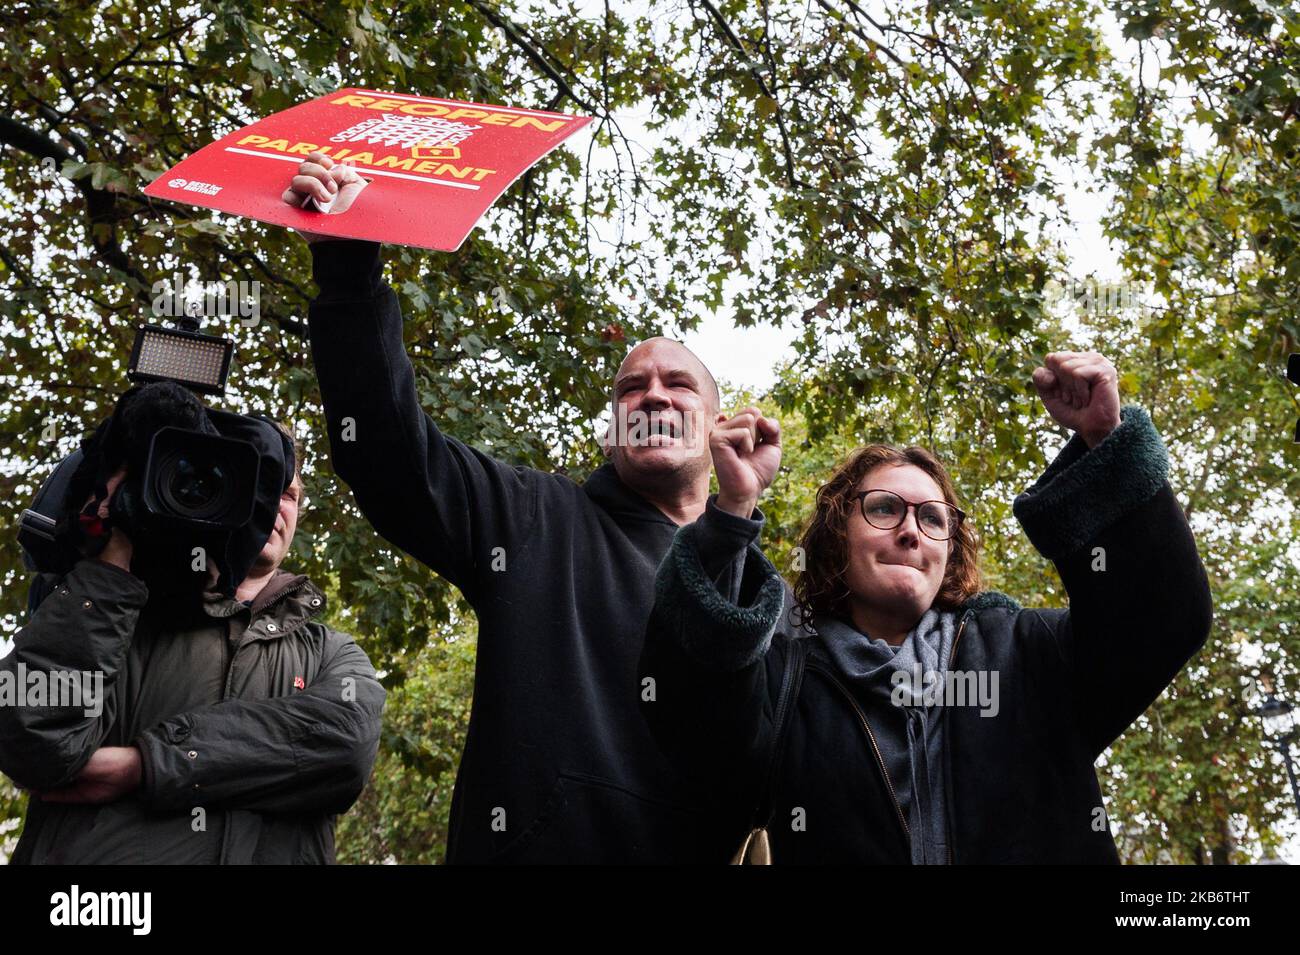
(560, 766)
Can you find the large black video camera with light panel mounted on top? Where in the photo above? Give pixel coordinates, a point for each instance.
(200, 485)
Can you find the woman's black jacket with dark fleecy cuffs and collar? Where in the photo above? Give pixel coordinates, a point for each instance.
(1021, 784)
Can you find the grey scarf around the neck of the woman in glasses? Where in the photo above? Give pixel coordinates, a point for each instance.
(908, 732)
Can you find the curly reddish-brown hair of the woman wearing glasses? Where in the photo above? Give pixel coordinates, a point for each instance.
(822, 588)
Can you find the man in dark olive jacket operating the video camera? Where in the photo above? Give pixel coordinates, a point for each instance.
(229, 730)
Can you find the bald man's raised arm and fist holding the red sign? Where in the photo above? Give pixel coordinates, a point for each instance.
(436, 498)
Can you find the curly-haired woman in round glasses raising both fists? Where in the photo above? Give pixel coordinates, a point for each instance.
(892, 711)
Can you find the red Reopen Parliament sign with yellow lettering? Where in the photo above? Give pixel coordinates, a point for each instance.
(435, 167)
